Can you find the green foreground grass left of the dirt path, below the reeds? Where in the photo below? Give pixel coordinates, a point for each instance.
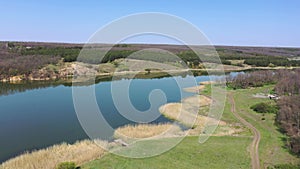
(217, 152)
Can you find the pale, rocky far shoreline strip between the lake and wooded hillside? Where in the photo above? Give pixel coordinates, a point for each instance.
(69, 77)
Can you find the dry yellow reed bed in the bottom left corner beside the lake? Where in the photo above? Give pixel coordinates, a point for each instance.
(49, 158)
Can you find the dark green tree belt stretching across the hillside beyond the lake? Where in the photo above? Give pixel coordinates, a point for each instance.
(188, 56)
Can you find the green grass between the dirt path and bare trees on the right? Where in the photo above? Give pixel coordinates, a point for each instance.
(272, 146)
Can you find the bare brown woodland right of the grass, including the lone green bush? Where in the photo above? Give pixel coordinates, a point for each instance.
(287, 86)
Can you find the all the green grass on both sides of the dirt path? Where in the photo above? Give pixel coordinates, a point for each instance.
(218, 151)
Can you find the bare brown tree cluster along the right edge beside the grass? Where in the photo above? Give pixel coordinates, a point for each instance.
(288, 116)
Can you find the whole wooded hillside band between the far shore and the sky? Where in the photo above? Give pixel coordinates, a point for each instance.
(22, 58)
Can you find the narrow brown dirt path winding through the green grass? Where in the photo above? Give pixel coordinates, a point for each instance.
(256, 135)
